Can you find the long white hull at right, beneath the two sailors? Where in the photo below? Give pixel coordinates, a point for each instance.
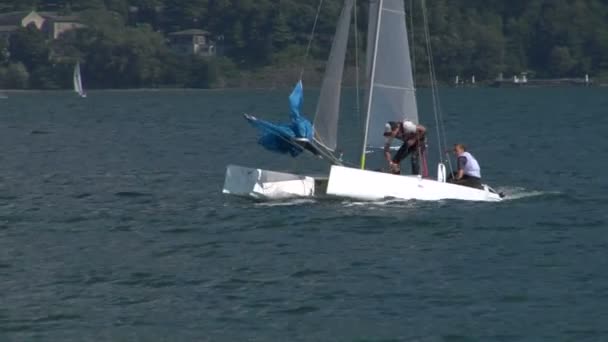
(368, 185)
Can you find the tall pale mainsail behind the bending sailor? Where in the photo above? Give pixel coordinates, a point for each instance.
(391, 93)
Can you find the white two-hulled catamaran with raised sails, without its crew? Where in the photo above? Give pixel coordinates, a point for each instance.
(390, 97)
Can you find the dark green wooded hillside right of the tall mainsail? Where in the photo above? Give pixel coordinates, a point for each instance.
(554, 38)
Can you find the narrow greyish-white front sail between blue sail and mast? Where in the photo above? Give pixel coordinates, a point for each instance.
(328, 106)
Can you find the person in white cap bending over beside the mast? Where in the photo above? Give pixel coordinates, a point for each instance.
(414, 143)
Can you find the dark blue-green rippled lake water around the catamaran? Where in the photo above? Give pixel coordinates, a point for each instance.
(113, 226)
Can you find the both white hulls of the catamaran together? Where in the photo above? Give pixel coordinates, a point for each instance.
(345, 182)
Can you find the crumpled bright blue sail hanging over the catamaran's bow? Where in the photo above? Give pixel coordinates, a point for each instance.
(280, 137)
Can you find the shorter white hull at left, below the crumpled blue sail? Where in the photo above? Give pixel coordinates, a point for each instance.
(265, 184)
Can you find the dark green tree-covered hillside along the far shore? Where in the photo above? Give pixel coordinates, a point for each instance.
(125, 45)
